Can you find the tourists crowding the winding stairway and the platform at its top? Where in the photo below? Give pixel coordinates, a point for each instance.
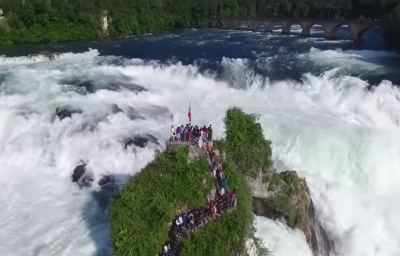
(189, 222)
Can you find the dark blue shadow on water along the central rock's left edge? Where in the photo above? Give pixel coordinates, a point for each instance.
(96, 212)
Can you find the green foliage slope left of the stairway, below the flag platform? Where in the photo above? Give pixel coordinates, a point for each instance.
(141, 213)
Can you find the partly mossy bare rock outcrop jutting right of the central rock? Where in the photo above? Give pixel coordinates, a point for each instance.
(286, 196)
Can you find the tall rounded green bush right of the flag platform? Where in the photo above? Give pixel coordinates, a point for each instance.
(245, 144)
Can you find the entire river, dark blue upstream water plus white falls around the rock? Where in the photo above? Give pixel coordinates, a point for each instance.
(311, 95)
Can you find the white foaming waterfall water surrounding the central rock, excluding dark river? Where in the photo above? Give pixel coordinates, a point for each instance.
(344, 140)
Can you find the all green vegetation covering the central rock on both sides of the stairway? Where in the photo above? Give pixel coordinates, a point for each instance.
(141, 213)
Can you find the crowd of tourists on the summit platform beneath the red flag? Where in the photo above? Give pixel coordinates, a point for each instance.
(184, 133)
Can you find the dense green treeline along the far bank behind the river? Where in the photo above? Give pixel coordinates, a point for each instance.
(32, 21)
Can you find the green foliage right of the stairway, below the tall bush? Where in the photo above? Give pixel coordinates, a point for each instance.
(226, 235)
